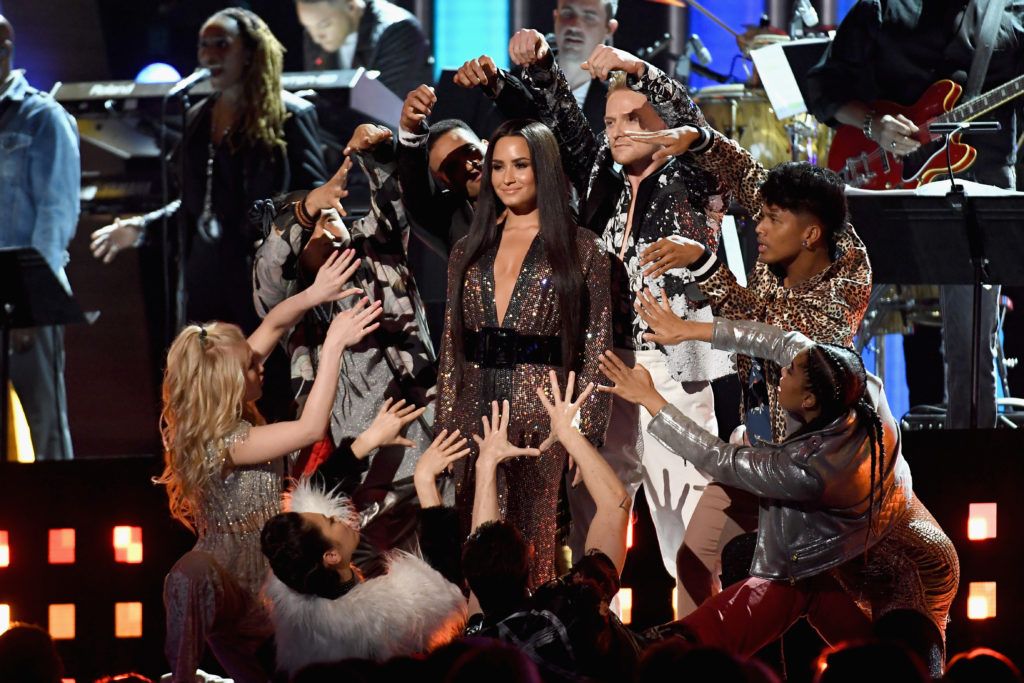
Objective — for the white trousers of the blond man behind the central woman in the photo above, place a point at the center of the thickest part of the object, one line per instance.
(672, 485)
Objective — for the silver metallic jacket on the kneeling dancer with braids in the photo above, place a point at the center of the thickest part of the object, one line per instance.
(814, 488)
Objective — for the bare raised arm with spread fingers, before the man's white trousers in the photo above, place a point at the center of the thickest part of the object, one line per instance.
(608, 531)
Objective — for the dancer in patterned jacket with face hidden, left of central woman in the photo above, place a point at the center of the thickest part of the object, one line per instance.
(397, 362)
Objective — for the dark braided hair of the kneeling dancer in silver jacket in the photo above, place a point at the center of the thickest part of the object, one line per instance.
(839, 381)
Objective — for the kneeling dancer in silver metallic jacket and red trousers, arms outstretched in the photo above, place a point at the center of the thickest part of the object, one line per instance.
(842, 539)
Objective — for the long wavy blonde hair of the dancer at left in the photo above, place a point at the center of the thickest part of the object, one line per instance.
(204, 400)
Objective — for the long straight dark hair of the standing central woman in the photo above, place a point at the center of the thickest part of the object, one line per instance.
(559, 234)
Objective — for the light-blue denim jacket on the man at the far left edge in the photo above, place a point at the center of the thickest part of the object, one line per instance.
(40, 174)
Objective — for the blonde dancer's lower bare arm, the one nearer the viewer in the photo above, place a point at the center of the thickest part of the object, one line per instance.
(270, 442)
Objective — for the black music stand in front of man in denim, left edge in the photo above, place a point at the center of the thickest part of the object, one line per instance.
(31, 296)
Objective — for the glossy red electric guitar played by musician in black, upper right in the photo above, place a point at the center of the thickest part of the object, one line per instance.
(864, 164)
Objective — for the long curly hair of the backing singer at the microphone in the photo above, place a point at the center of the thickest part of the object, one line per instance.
(263, 120)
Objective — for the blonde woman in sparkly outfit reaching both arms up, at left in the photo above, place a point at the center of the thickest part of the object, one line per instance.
(224, 475)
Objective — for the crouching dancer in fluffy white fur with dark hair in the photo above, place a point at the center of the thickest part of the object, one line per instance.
(324, 611)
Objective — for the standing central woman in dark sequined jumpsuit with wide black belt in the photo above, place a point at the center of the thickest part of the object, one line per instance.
(528, 292)
